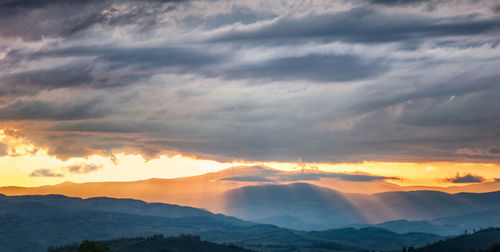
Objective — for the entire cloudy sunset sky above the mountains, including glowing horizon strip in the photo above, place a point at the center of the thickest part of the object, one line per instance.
(127, 90)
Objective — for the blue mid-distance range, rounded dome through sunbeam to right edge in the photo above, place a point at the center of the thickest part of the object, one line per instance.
(319, 208)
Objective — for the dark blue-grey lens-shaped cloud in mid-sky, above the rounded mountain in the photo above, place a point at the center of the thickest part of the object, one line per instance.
(321, 68)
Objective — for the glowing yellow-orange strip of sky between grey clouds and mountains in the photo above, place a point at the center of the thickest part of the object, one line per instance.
(22, 158)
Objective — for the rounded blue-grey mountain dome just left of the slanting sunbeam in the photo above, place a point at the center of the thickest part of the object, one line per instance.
(298, 205)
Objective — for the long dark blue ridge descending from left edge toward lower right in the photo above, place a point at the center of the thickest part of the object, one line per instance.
(34, 223)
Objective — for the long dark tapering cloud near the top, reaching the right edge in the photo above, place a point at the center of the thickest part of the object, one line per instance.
(362, 25)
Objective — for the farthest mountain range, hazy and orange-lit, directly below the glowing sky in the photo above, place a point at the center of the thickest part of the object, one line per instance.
(204, 191)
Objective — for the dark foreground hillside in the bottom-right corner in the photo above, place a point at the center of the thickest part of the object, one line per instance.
(487, 240)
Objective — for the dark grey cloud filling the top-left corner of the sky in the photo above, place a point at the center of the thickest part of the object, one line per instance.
(34, 20)
